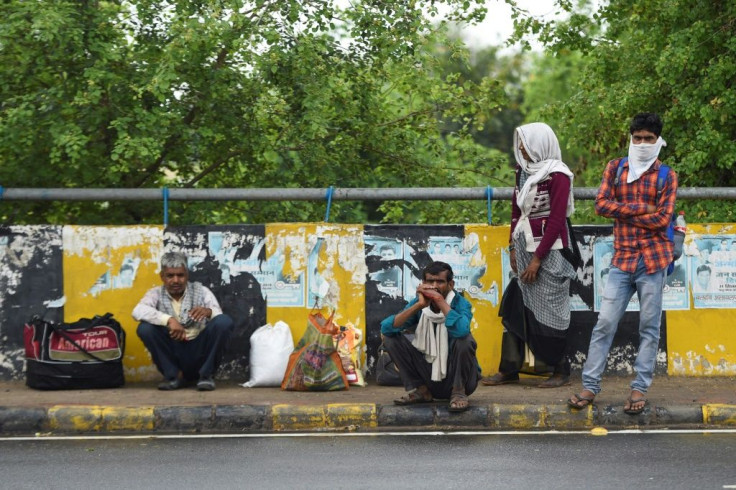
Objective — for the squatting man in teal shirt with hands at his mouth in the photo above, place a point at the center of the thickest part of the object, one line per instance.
(440, 361)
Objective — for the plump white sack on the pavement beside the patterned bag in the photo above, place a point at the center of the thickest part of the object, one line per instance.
(270, 347)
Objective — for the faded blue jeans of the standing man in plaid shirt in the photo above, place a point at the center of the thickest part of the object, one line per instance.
(618, 291)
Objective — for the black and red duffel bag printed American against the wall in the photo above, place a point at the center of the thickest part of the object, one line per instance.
(86, 354)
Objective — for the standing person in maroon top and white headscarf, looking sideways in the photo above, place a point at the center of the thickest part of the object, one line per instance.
(535, 307)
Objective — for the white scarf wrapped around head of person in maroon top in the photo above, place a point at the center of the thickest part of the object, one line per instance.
(543, 148)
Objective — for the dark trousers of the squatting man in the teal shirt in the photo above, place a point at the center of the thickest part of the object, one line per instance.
(462, 366)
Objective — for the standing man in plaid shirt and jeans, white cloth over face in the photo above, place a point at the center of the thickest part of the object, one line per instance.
(642, 254)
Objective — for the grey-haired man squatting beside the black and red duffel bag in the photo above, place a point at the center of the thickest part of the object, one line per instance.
(183, 327)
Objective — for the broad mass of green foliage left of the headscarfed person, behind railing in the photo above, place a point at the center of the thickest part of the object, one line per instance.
(229, 93)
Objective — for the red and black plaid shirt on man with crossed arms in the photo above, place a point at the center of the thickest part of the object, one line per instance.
(636, 233)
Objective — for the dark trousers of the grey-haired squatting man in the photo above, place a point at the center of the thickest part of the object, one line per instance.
(197, 358)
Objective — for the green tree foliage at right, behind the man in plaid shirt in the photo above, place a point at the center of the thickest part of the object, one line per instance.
(676, 58)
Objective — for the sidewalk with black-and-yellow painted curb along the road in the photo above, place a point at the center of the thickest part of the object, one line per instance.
(674, 402)
